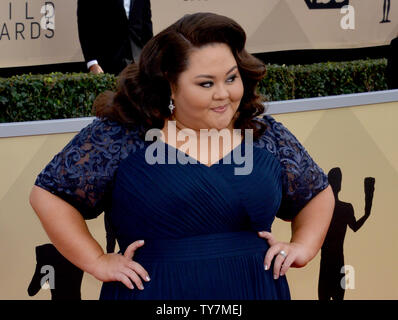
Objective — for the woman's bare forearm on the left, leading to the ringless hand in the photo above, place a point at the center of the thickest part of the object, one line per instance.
(66, 229)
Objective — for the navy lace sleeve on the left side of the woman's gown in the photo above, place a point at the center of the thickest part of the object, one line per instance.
(82, 173)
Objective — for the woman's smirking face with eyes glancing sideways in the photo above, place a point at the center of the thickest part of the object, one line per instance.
(208, 93)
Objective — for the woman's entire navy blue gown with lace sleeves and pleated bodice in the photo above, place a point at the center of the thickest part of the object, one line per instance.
(199, 223)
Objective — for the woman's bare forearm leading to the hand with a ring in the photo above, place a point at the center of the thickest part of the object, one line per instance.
(310, 226)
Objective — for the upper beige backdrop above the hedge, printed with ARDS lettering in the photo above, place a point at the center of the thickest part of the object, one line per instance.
(36, 32)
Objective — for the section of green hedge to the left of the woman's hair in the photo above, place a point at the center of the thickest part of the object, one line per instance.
(51, 96)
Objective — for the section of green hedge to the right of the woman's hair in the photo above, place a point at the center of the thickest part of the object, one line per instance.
(324, 79)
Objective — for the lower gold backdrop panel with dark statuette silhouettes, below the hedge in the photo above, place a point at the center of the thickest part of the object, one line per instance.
(356, 146)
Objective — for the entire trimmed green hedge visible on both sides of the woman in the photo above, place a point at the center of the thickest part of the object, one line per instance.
(58, 96)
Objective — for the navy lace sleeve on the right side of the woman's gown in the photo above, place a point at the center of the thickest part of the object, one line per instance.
(302, 178)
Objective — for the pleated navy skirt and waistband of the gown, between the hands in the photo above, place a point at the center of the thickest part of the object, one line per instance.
(224, 266)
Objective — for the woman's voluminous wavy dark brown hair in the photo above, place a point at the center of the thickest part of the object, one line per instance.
(144, 90)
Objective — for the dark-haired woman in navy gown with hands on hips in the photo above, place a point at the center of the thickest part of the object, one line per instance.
(193, 230)
